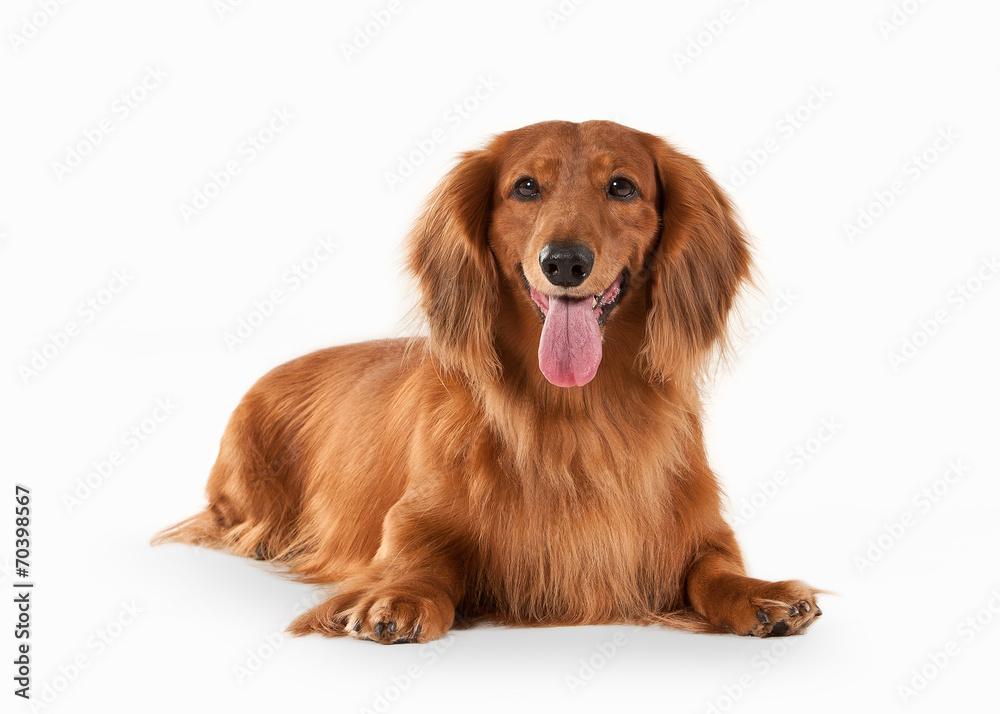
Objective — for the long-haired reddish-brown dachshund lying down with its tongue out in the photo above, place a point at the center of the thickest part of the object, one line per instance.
(538, 458)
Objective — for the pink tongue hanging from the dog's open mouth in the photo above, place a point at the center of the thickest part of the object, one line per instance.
(570, 349)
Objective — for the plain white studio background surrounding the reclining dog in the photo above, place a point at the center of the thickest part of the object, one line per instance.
(886, 80)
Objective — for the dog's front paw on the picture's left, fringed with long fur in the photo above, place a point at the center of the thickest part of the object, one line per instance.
(390, 618)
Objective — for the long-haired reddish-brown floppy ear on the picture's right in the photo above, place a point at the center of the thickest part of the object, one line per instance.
(698, 267)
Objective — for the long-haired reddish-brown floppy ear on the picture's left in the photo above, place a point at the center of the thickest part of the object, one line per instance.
(455, 270)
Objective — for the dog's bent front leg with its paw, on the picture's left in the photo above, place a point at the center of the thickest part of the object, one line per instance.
(408, 592)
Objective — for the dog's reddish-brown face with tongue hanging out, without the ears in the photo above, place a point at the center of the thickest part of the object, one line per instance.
(574, 218)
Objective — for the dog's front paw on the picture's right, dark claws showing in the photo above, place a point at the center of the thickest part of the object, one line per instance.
(760, 608)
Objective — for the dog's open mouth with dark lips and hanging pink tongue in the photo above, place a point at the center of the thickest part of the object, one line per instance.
(570, 349)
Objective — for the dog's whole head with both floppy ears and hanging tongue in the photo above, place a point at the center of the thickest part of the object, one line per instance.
(578, 237)
